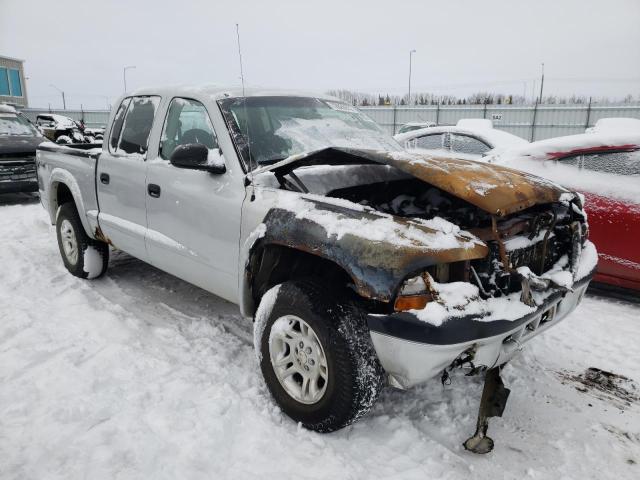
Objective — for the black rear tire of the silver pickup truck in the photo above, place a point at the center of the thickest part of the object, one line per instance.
(92, 256)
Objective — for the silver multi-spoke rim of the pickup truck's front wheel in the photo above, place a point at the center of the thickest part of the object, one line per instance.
(298, 359)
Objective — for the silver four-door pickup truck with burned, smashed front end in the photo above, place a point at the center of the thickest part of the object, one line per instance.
(360, 263)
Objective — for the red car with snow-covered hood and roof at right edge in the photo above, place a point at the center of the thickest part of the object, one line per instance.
(604, 165)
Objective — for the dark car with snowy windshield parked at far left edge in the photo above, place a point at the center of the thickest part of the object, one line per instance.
(19, 139)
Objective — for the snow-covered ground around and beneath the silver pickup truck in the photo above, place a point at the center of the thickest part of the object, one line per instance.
(140, 375)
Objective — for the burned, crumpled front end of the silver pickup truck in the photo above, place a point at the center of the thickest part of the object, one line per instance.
(457, 263)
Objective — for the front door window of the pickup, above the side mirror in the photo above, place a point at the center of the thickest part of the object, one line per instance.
(187, 122)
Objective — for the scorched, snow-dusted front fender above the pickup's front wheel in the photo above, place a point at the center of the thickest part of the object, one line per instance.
(377, 250)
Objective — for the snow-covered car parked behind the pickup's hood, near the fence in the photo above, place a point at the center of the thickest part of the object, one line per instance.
(470, 138)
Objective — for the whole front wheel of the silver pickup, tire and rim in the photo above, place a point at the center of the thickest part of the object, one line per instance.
(316, 355)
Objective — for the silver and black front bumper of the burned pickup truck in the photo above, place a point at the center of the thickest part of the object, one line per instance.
(412, 351)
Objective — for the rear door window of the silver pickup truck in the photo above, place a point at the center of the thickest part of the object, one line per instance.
(138, 120)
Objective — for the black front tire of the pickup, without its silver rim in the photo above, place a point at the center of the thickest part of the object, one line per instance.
(355, 376)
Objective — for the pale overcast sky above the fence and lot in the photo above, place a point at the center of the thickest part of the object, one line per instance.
(81, 46)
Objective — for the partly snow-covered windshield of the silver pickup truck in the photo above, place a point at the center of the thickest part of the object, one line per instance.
(282, 126)
